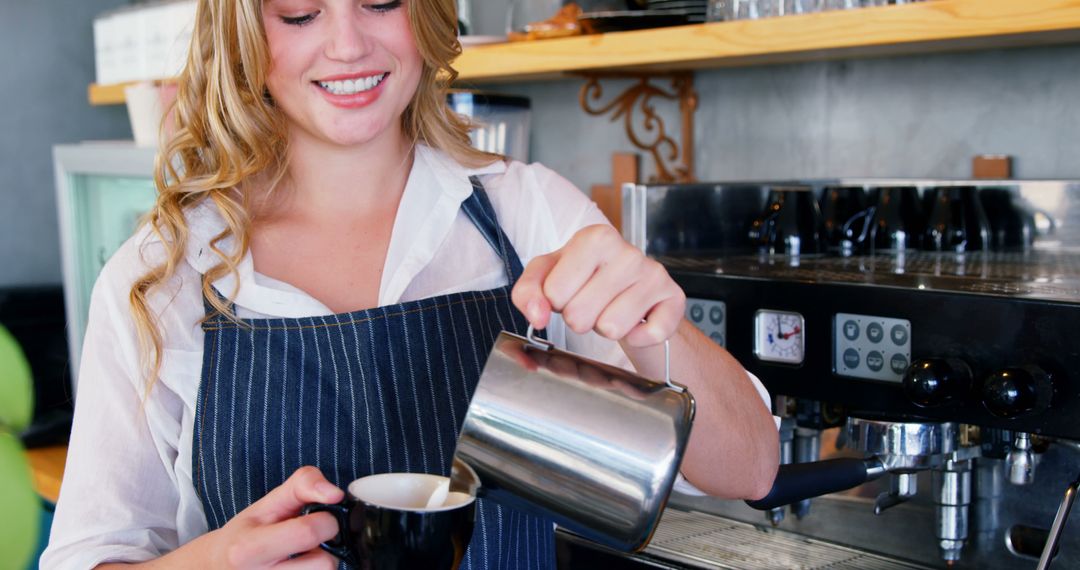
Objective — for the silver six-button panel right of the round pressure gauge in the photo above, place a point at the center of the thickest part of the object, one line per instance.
(872, 348)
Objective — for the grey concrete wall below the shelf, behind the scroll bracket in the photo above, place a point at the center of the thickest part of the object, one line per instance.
(924, 116)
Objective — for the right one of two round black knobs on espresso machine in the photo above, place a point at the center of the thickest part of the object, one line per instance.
(1017, 392)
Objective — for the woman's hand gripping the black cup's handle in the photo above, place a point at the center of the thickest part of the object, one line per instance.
(269, 532)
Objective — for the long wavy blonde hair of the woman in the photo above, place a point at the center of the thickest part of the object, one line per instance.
(231, 141)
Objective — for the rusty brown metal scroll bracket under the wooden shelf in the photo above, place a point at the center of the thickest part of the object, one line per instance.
(674, 160)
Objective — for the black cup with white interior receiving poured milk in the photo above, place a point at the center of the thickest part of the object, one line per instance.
(385, 524)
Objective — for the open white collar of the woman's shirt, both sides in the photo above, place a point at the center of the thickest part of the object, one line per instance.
(437, 187)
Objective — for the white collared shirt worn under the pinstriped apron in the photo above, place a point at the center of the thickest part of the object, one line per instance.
(128, 493)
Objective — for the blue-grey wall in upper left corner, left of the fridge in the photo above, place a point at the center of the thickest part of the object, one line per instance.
(47, 55)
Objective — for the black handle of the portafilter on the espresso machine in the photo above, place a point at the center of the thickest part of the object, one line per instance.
(798, 482)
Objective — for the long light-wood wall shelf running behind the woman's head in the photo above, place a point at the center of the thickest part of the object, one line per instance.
(925, 28)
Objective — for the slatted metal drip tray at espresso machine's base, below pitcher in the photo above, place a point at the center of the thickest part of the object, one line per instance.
(698, 540)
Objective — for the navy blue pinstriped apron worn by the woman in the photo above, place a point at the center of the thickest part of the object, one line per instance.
(375, 391)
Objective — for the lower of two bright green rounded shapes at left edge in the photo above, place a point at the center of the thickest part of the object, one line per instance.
(22, 508)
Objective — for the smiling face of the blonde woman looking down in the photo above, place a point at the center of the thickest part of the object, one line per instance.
(343, 72)
